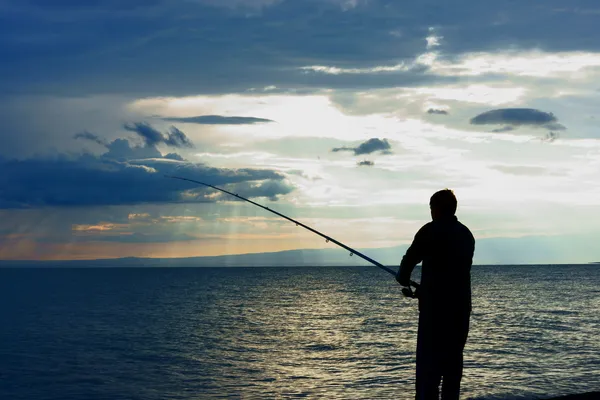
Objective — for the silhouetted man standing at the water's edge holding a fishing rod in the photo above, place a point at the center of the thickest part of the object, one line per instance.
(446, 247)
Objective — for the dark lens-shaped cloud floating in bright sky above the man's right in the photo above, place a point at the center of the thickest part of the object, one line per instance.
(514, 117)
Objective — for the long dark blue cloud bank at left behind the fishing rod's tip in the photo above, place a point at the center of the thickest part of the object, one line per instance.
(123, 175)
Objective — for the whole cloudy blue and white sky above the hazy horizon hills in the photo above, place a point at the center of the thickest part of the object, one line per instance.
(345, 114)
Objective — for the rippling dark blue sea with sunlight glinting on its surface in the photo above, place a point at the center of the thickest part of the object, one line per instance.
(274, 333)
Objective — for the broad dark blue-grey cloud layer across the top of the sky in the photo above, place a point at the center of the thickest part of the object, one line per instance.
(99, 48)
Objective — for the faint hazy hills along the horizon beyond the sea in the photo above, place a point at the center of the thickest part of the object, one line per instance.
(524, 250)
